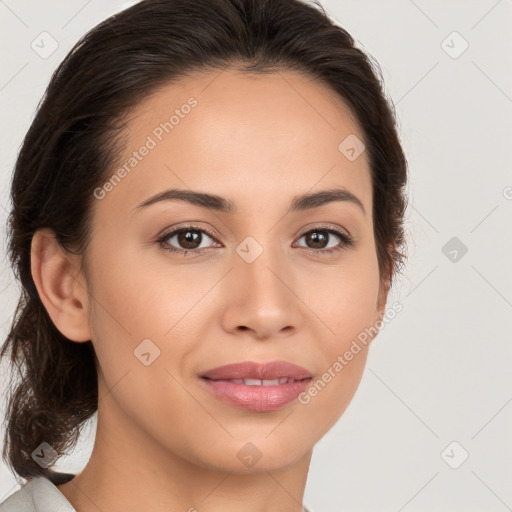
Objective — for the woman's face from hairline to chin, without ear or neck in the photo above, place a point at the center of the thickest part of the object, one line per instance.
(254, 286)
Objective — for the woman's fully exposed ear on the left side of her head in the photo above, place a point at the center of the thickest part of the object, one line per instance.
(61, 289)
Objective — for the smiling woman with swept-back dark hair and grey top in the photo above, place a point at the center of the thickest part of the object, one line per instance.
(207, 215)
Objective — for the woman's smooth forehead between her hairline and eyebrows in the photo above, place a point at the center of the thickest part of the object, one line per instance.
(249, 137)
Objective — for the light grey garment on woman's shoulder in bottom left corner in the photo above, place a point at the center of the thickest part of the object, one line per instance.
(38, 495)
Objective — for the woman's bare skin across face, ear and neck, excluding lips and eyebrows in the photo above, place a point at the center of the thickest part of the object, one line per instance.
(164, 442)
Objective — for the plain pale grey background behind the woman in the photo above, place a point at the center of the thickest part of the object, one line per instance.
(437, 386)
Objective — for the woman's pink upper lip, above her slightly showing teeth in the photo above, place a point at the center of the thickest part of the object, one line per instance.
(254, 370)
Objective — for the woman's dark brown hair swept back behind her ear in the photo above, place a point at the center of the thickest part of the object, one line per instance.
(76, 137)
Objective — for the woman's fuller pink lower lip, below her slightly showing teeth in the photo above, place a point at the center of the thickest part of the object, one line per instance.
(257, 398)
